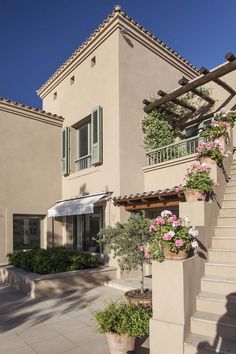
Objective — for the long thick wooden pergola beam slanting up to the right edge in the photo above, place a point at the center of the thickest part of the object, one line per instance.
(199, 81)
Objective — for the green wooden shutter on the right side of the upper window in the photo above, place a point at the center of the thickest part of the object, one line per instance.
(96, 136)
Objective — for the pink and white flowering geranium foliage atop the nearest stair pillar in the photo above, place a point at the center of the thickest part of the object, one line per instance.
(167, 231)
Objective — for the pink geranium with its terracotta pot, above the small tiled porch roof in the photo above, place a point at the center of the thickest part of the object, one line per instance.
(198, 185)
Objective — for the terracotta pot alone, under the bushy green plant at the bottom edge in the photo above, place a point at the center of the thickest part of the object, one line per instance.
(120, 343)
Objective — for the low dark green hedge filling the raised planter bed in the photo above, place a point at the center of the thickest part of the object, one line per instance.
(53, 260)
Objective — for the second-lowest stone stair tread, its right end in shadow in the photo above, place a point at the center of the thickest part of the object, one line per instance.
(224, 320)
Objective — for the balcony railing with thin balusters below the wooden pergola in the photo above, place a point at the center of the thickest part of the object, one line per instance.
(174, 151)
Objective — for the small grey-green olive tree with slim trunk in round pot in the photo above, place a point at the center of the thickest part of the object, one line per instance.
(124, 241)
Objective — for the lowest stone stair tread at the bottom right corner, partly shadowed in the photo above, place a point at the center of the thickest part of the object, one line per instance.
(207, 343)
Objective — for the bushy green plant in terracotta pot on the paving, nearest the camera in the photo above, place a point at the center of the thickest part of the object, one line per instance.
(122, 322)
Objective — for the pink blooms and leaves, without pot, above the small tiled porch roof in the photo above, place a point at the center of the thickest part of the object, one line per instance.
(198, 177)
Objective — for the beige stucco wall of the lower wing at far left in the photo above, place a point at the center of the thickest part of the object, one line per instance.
(30, 171)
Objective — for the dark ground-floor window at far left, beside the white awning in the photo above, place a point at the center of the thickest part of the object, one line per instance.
(26, 231)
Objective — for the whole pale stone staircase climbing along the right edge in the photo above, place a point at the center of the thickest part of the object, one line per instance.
(213, 326)
